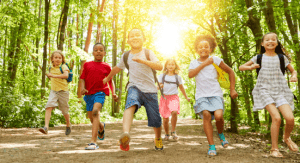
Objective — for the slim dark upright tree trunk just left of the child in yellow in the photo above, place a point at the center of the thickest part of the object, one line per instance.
(47, 6)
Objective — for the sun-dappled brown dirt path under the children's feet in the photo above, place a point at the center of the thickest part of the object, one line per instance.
(28, 145)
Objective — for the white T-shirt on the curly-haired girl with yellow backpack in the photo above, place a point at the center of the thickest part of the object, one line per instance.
(207, 84)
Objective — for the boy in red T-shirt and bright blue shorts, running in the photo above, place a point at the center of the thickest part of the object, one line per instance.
(95, 91)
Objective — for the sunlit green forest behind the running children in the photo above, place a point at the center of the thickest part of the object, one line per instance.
(31, 30)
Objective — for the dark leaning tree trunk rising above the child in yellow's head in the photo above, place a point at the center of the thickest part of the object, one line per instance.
(63, 25)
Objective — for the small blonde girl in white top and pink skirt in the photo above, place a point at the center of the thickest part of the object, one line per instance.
(170, 81)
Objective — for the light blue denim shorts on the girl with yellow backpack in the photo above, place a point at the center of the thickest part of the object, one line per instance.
(210, 104)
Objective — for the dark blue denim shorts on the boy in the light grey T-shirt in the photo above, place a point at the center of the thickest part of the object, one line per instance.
(149, 101)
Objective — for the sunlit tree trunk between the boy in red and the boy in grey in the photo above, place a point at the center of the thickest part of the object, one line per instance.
(115, 41)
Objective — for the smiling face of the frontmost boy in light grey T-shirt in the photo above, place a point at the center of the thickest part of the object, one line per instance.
(136, 39)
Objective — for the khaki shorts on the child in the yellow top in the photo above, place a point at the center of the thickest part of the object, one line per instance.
(60, 99)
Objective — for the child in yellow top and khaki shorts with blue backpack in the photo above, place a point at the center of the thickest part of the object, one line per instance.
(59, 94)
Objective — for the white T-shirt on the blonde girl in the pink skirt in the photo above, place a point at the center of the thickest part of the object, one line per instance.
(170, 88)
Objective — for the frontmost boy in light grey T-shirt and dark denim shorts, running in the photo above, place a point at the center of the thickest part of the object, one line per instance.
(141, 87)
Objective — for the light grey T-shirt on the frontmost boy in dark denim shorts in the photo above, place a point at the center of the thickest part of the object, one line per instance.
(140, 75)
